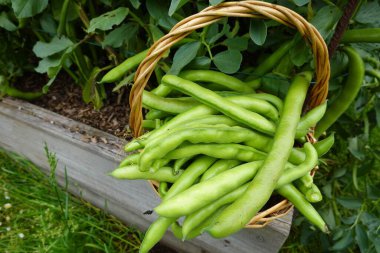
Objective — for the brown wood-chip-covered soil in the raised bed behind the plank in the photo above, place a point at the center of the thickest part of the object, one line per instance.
(65, 98)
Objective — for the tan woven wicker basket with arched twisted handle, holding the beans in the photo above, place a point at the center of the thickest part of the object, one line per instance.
(244, 9)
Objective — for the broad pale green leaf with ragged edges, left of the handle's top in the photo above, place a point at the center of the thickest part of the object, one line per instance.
(107, 20)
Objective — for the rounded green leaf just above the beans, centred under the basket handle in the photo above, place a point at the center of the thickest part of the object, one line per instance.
(228, 61)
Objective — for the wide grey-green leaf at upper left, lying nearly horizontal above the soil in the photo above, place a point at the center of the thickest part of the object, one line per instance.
(56, 45)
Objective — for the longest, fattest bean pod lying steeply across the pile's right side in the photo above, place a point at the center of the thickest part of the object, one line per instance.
(238, 214)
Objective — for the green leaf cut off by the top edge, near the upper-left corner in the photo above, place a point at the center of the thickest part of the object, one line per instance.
(28, 8)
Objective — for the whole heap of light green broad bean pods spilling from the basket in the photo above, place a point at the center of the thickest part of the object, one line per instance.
(219, 149)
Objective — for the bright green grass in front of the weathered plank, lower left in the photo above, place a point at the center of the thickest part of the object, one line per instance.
(37, 215)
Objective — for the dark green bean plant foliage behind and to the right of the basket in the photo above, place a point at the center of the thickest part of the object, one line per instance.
(86, 39)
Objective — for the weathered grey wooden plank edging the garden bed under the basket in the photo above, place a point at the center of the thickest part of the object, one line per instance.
(26, 128)
